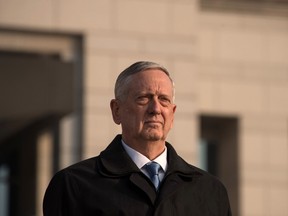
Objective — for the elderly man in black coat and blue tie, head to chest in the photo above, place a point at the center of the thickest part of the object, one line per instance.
(139, 173)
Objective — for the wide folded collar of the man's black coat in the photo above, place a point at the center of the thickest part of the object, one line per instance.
(114, 163)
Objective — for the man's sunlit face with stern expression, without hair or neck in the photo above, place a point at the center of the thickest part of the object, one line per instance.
(147, 113)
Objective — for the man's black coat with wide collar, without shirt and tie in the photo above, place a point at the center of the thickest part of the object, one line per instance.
(111, 184)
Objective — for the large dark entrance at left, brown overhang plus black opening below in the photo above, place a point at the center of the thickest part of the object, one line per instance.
(36, 91)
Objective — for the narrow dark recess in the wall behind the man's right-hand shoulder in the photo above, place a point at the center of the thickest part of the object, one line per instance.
(219, 152)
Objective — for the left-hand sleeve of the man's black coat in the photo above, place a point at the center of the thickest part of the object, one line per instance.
(61, 198)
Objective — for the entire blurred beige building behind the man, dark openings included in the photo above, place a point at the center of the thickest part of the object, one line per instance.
(229, 60)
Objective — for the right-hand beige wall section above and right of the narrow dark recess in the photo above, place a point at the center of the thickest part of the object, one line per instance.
(243, 71)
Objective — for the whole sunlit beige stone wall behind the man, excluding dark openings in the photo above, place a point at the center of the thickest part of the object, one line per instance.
(222, 63)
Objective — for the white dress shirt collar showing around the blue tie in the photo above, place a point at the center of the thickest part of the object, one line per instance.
(140, 160)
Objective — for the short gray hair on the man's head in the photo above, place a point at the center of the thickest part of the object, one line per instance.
(123, 79)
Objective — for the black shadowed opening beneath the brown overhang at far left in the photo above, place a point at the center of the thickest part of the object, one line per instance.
(18, 156)
